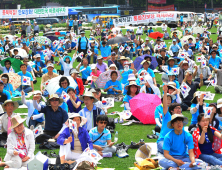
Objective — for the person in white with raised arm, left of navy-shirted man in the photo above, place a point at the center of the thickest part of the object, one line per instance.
(34, 117)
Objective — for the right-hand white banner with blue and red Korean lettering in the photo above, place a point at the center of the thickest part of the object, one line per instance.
(137, 19)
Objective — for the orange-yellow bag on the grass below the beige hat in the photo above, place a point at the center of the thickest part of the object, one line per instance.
(146, 164)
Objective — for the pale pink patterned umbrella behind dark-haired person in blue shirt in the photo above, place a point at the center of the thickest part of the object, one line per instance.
(104, 77)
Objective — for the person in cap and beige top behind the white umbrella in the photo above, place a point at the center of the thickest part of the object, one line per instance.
(47, 77)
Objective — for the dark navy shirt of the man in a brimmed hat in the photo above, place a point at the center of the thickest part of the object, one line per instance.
(54, 120)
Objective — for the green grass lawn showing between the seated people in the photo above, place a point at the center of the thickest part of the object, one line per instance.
(127, 134)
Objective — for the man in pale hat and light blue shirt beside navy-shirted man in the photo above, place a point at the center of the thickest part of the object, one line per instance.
(90, 111)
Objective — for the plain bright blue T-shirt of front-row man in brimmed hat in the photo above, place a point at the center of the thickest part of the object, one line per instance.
(177, 145)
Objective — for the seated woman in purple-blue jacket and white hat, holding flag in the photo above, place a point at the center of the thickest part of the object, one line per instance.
(72, 145)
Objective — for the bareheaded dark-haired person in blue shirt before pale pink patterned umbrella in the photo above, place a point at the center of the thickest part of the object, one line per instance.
(113, 86)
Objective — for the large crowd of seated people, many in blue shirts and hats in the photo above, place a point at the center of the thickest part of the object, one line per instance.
(179, 147)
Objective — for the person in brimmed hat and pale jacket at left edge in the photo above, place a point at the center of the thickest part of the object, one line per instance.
(9, 107)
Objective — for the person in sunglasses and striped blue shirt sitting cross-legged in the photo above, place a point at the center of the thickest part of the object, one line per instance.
(101, 137)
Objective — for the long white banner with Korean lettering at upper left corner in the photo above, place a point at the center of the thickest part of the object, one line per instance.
(34, 13)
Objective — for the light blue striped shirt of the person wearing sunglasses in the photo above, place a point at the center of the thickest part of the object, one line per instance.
(94, 134)
